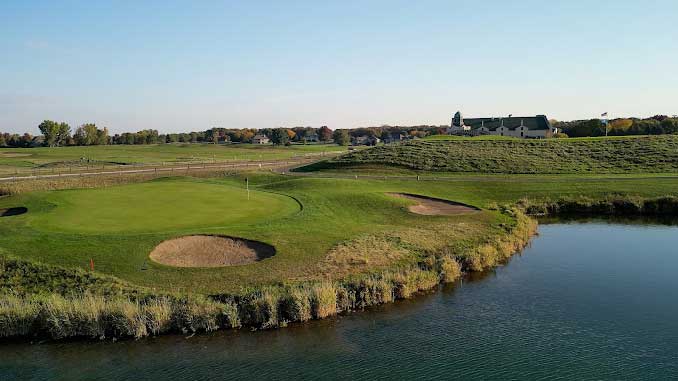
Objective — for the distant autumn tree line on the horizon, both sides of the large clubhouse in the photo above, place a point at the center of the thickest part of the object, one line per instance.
(54, 134)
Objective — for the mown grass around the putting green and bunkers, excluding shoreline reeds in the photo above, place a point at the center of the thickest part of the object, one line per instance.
(337, 214)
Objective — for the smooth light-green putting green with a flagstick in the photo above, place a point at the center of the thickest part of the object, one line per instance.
(159, 206)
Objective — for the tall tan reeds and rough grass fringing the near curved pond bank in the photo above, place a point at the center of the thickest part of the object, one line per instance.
(121, 311)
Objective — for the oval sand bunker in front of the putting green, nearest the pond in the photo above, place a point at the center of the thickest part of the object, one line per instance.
(210, 251)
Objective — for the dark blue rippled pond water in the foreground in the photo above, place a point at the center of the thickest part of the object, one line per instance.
(585, 301)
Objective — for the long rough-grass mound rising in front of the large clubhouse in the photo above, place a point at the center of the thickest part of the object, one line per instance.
(645, 154)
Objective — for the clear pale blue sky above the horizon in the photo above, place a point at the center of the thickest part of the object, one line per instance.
(189, 66)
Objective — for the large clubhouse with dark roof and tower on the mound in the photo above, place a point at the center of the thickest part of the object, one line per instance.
(535, 127)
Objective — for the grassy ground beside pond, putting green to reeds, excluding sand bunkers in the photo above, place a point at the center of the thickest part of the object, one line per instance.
(350, 246)
